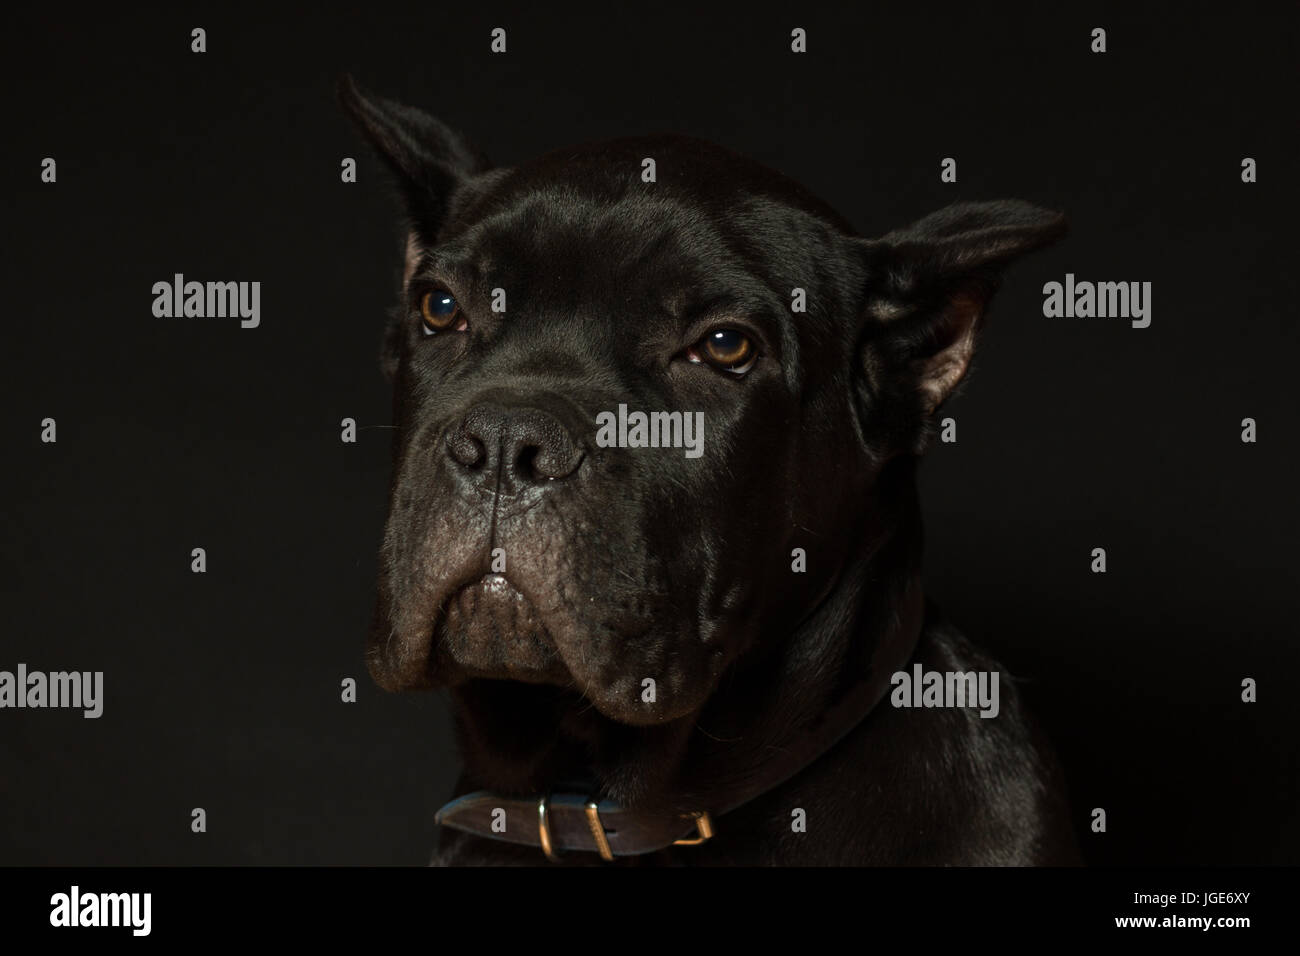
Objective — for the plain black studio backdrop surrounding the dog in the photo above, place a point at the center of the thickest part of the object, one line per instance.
(223, 690)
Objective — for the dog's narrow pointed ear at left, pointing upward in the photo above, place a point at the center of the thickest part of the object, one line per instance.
(427, 158)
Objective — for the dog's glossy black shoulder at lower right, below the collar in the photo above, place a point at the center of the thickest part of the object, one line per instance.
(981, 790)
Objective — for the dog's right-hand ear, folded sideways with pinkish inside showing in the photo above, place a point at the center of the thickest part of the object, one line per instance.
(929, 292)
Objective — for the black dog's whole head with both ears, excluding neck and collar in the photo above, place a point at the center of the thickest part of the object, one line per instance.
(539, 300)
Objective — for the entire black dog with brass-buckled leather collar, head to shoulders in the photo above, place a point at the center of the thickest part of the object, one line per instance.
(655, 647)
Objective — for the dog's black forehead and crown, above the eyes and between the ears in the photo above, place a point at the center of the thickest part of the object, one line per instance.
(664, 222)
